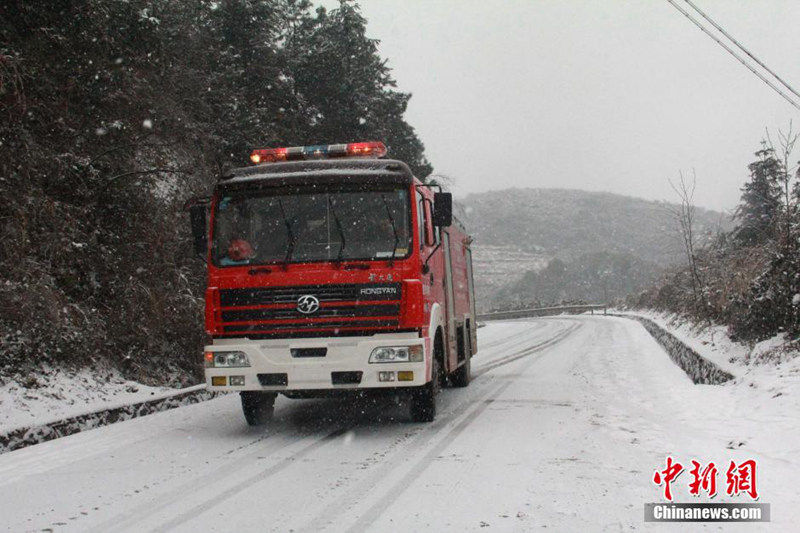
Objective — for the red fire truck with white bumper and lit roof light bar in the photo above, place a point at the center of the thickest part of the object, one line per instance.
(332, 270)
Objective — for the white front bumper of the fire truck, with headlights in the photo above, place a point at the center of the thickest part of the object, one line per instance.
(346, 356)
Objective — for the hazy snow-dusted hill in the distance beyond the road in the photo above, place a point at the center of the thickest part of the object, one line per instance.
(518, 232)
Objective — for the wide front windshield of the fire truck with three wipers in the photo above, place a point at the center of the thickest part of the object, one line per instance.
(312, 224)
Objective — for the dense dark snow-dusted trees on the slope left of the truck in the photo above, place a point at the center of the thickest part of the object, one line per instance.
(112, 114)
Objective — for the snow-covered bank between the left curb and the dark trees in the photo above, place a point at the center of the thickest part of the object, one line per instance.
(56, 395)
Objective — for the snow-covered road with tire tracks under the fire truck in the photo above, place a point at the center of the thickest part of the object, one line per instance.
(562, 428)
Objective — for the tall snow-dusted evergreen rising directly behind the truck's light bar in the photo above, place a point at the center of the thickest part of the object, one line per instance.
(348, 88)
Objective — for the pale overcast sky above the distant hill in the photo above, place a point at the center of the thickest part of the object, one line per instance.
(604, 95)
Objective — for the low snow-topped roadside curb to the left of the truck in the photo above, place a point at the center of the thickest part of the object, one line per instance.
(17, 438)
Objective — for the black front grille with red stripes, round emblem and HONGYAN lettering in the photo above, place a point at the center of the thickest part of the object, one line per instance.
(343, 308)
